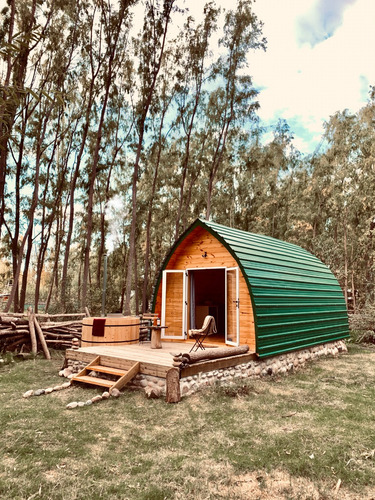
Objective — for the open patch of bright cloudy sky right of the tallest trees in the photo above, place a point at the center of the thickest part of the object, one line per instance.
(320, 59)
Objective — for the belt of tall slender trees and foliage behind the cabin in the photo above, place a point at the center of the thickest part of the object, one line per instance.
(114, 137)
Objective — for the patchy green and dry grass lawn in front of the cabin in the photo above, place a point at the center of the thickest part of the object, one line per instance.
(309, 435)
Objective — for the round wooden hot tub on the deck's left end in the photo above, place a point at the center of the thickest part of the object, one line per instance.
(112, 330)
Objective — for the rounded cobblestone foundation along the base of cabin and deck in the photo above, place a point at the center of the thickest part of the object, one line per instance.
(275, 365)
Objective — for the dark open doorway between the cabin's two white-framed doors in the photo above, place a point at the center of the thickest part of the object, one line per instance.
(207, 297)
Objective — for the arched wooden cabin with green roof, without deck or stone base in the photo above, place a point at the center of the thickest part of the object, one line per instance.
(273, 296)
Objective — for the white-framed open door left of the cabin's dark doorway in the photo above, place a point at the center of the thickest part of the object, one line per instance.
(174, 304)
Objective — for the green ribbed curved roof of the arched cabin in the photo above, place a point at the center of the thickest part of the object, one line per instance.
(297, 301)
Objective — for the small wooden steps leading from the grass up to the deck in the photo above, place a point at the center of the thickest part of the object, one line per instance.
(123, 376)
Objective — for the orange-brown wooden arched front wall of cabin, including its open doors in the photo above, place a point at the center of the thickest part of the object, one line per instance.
(200, 278)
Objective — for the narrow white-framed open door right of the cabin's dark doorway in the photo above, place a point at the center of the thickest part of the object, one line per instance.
(232, 331)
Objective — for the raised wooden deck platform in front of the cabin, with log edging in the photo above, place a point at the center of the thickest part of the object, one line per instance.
(156, 362)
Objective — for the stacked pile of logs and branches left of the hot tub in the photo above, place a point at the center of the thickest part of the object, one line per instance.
(30, 331)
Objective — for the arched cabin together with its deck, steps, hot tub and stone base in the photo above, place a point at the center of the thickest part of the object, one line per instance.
(268, 297)
